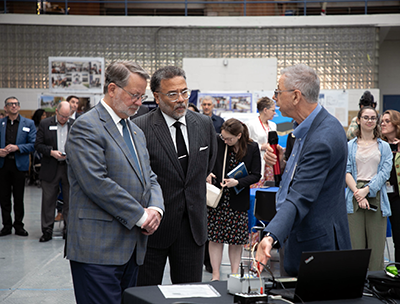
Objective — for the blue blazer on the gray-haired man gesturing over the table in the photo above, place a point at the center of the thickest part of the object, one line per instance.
(313, 216)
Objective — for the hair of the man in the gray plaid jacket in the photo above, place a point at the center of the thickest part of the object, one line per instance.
(119, 72)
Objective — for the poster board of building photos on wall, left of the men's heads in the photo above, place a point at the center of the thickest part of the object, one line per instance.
(76, 74)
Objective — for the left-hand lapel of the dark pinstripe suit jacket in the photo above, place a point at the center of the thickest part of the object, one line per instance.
(163, 135)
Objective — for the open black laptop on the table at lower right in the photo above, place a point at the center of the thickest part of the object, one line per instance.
(329, 275)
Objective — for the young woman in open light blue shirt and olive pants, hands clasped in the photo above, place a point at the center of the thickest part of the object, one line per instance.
(368, 168)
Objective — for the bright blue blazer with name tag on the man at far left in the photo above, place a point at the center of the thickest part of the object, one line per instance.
(25, 141)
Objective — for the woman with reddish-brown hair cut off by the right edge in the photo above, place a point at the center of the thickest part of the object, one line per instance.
(390, 125)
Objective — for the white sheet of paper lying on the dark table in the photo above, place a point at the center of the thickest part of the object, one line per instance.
(189, 291)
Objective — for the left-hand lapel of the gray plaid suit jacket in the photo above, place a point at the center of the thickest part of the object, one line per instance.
(112, 129)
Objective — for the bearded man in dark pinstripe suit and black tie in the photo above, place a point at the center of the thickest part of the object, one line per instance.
(182, 147)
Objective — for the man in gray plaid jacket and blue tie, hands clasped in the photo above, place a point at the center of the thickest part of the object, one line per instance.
(115, 199)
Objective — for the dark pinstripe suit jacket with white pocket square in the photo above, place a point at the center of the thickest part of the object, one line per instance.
(180, 192)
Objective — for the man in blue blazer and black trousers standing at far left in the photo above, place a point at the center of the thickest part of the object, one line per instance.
(17, 139)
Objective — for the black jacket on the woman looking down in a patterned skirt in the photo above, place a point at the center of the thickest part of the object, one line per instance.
(252, 160)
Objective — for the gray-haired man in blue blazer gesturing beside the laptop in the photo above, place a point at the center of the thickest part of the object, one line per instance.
(311, 208)
